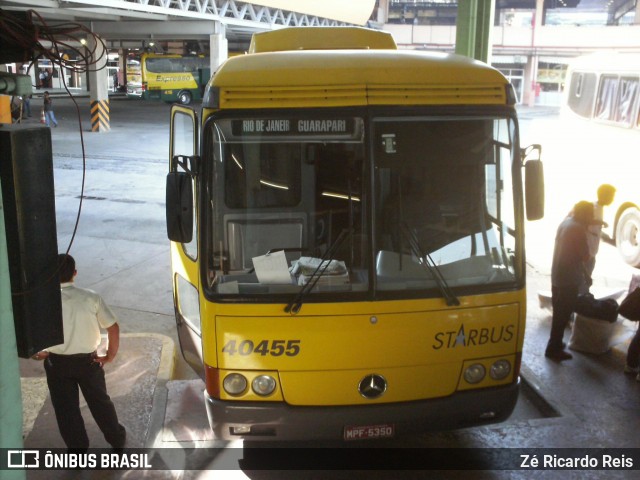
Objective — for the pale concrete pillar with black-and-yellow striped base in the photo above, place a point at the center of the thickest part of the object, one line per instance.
(99, 87)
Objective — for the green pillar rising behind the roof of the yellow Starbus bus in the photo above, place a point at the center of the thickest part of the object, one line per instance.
(474, 24)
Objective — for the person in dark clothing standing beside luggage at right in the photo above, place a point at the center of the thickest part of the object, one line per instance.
(568, 274)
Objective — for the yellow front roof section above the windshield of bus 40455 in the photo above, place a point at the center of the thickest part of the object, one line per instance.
(307, 78)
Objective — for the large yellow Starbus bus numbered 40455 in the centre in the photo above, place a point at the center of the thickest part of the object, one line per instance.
(347, 239)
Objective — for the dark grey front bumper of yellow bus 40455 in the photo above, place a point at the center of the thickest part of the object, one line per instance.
(279, 421)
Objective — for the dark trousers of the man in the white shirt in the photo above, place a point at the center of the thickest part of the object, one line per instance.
(66, 375)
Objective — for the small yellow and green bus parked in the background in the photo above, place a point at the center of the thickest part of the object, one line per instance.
(167, 77)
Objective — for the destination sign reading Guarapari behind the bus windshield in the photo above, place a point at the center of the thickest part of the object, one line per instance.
(291, 126)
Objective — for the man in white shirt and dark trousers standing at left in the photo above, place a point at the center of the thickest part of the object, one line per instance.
(74, 364)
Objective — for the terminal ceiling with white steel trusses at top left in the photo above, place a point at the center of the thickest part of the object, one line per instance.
(125, 24)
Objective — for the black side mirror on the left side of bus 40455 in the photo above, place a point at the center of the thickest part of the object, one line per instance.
(179, 205)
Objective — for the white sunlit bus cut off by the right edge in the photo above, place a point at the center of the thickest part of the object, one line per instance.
(603, 96)
